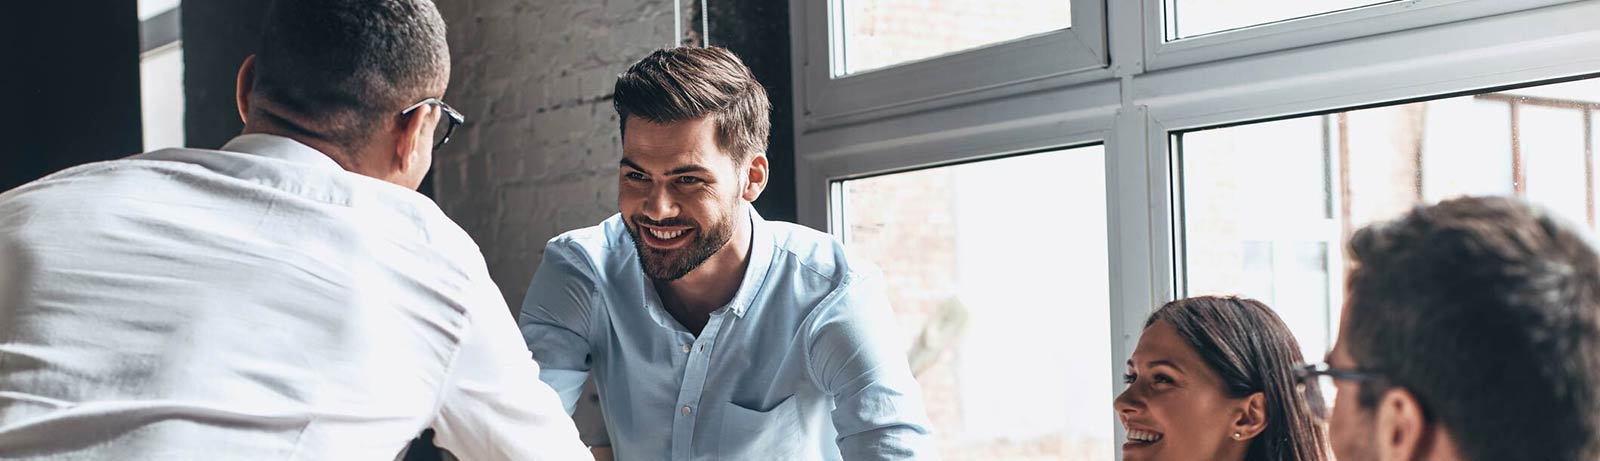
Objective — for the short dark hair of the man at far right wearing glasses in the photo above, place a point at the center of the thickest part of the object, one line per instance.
(1486, 311)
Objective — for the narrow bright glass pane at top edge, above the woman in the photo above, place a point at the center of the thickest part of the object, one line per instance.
(1190, 18)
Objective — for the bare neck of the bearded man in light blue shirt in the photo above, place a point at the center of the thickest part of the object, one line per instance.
(718, 281)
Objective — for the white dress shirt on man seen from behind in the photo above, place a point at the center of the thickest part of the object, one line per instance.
(254, 303)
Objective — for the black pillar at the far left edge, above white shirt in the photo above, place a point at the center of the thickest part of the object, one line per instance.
(76, 81)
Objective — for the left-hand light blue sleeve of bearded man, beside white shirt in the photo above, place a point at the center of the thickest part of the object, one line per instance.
(556, 319)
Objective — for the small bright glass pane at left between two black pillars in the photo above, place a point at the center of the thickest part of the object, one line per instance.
(162, 97)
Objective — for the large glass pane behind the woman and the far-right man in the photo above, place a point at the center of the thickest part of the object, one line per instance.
(1266, 207)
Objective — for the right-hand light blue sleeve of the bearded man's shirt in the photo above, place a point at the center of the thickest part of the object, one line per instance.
(858, 358)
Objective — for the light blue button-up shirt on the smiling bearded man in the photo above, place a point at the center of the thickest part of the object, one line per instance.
(804, 364)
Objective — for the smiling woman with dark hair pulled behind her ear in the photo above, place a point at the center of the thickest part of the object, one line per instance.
(1214, 379)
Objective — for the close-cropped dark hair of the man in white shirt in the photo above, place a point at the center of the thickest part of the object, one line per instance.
(350, 65)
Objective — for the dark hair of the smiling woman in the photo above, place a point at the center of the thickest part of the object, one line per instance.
(1254, 351)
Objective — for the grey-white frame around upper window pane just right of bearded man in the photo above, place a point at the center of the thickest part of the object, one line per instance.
(1042, 62)
